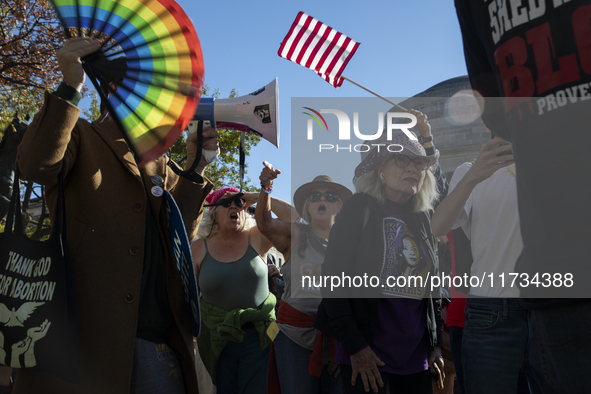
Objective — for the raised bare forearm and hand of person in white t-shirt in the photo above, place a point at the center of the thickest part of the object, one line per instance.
(486, 164)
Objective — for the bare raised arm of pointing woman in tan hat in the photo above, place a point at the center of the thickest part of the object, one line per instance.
(279, 232)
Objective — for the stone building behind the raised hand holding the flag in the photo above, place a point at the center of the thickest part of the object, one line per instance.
(453, 113)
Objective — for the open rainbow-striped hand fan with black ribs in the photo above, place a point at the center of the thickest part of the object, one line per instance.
(151, 50)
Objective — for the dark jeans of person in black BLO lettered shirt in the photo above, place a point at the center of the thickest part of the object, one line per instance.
(560, 352)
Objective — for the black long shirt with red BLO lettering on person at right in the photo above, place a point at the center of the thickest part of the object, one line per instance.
(535, 56)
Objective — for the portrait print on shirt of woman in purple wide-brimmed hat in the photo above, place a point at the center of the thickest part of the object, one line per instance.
(406, 265)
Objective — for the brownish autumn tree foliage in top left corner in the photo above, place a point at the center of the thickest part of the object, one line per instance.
(29, 36)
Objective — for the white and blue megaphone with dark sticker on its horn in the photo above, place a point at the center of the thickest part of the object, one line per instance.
(257, 112)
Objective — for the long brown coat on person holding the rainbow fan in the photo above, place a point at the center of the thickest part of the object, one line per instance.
(105, 202)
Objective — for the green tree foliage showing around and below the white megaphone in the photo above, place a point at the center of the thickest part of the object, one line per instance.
(225, 171)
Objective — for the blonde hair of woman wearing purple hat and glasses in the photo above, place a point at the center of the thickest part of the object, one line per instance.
(423, 201)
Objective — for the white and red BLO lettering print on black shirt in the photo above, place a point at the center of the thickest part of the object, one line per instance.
(543, 50)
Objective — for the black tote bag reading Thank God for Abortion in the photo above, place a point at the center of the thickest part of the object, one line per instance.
(38, 317)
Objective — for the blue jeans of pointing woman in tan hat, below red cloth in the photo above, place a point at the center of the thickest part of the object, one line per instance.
(292, 366)
